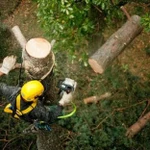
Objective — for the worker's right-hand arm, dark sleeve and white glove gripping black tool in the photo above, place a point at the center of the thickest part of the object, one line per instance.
(51, 114)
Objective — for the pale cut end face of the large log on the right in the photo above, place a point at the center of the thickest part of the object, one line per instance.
(95, 66)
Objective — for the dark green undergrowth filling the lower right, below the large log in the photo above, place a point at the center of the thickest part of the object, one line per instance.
(103, 126)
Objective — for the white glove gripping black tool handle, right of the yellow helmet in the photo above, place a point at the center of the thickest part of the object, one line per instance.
(67, 88)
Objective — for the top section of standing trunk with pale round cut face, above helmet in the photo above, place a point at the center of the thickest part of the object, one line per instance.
(39, 59)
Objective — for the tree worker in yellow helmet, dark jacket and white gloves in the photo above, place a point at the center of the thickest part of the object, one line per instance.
(24, 102)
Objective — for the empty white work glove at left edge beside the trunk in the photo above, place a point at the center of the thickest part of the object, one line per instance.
(8, 64)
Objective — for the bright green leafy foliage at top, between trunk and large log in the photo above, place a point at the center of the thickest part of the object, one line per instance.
(72, 23)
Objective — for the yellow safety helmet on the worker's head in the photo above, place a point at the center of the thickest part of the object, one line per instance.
(31, 90)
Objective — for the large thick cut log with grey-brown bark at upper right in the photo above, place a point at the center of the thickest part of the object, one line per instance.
(117, 42)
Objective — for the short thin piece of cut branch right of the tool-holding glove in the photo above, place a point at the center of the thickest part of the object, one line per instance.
(95, 99)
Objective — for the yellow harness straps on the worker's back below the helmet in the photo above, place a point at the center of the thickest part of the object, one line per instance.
(17, 112)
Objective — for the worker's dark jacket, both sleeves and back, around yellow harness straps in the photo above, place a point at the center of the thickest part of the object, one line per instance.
(40, 112)
